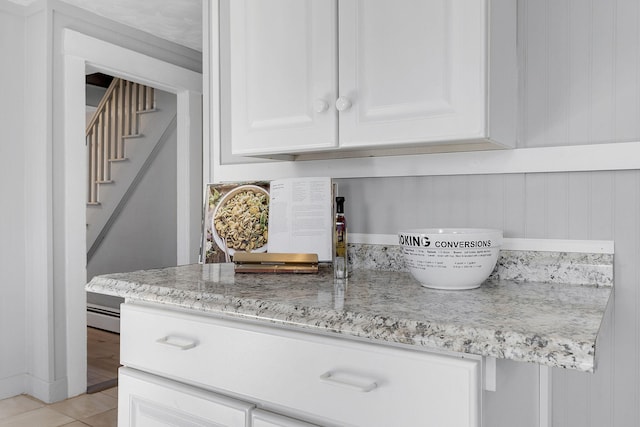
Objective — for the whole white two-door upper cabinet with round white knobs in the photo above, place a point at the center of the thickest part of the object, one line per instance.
(404, 76)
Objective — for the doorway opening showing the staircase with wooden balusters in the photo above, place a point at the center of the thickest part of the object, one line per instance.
(131, 201)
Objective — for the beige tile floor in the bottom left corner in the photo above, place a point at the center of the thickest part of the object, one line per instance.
(96, 410)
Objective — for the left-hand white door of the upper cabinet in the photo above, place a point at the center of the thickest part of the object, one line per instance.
(283, 75)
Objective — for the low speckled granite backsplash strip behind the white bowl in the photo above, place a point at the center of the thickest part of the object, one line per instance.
(527, 266)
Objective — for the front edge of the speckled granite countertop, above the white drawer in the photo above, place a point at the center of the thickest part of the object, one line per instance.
(501, 344)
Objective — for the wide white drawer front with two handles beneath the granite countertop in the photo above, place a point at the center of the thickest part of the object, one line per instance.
(322, 379)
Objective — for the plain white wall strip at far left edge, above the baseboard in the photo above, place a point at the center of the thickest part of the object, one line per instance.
(12, 224)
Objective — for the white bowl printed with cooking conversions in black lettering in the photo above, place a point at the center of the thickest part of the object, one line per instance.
(451, 258)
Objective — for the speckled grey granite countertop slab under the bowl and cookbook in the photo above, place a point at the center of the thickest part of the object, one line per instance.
(553, 324)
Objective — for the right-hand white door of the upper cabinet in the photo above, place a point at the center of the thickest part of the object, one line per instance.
(411, 71)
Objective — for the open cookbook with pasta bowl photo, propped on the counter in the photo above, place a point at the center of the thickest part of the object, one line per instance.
(293, 215)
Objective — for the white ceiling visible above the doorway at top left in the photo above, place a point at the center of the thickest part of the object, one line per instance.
(179, 21)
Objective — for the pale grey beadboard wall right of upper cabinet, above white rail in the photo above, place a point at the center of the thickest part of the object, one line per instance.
(579, 72)
